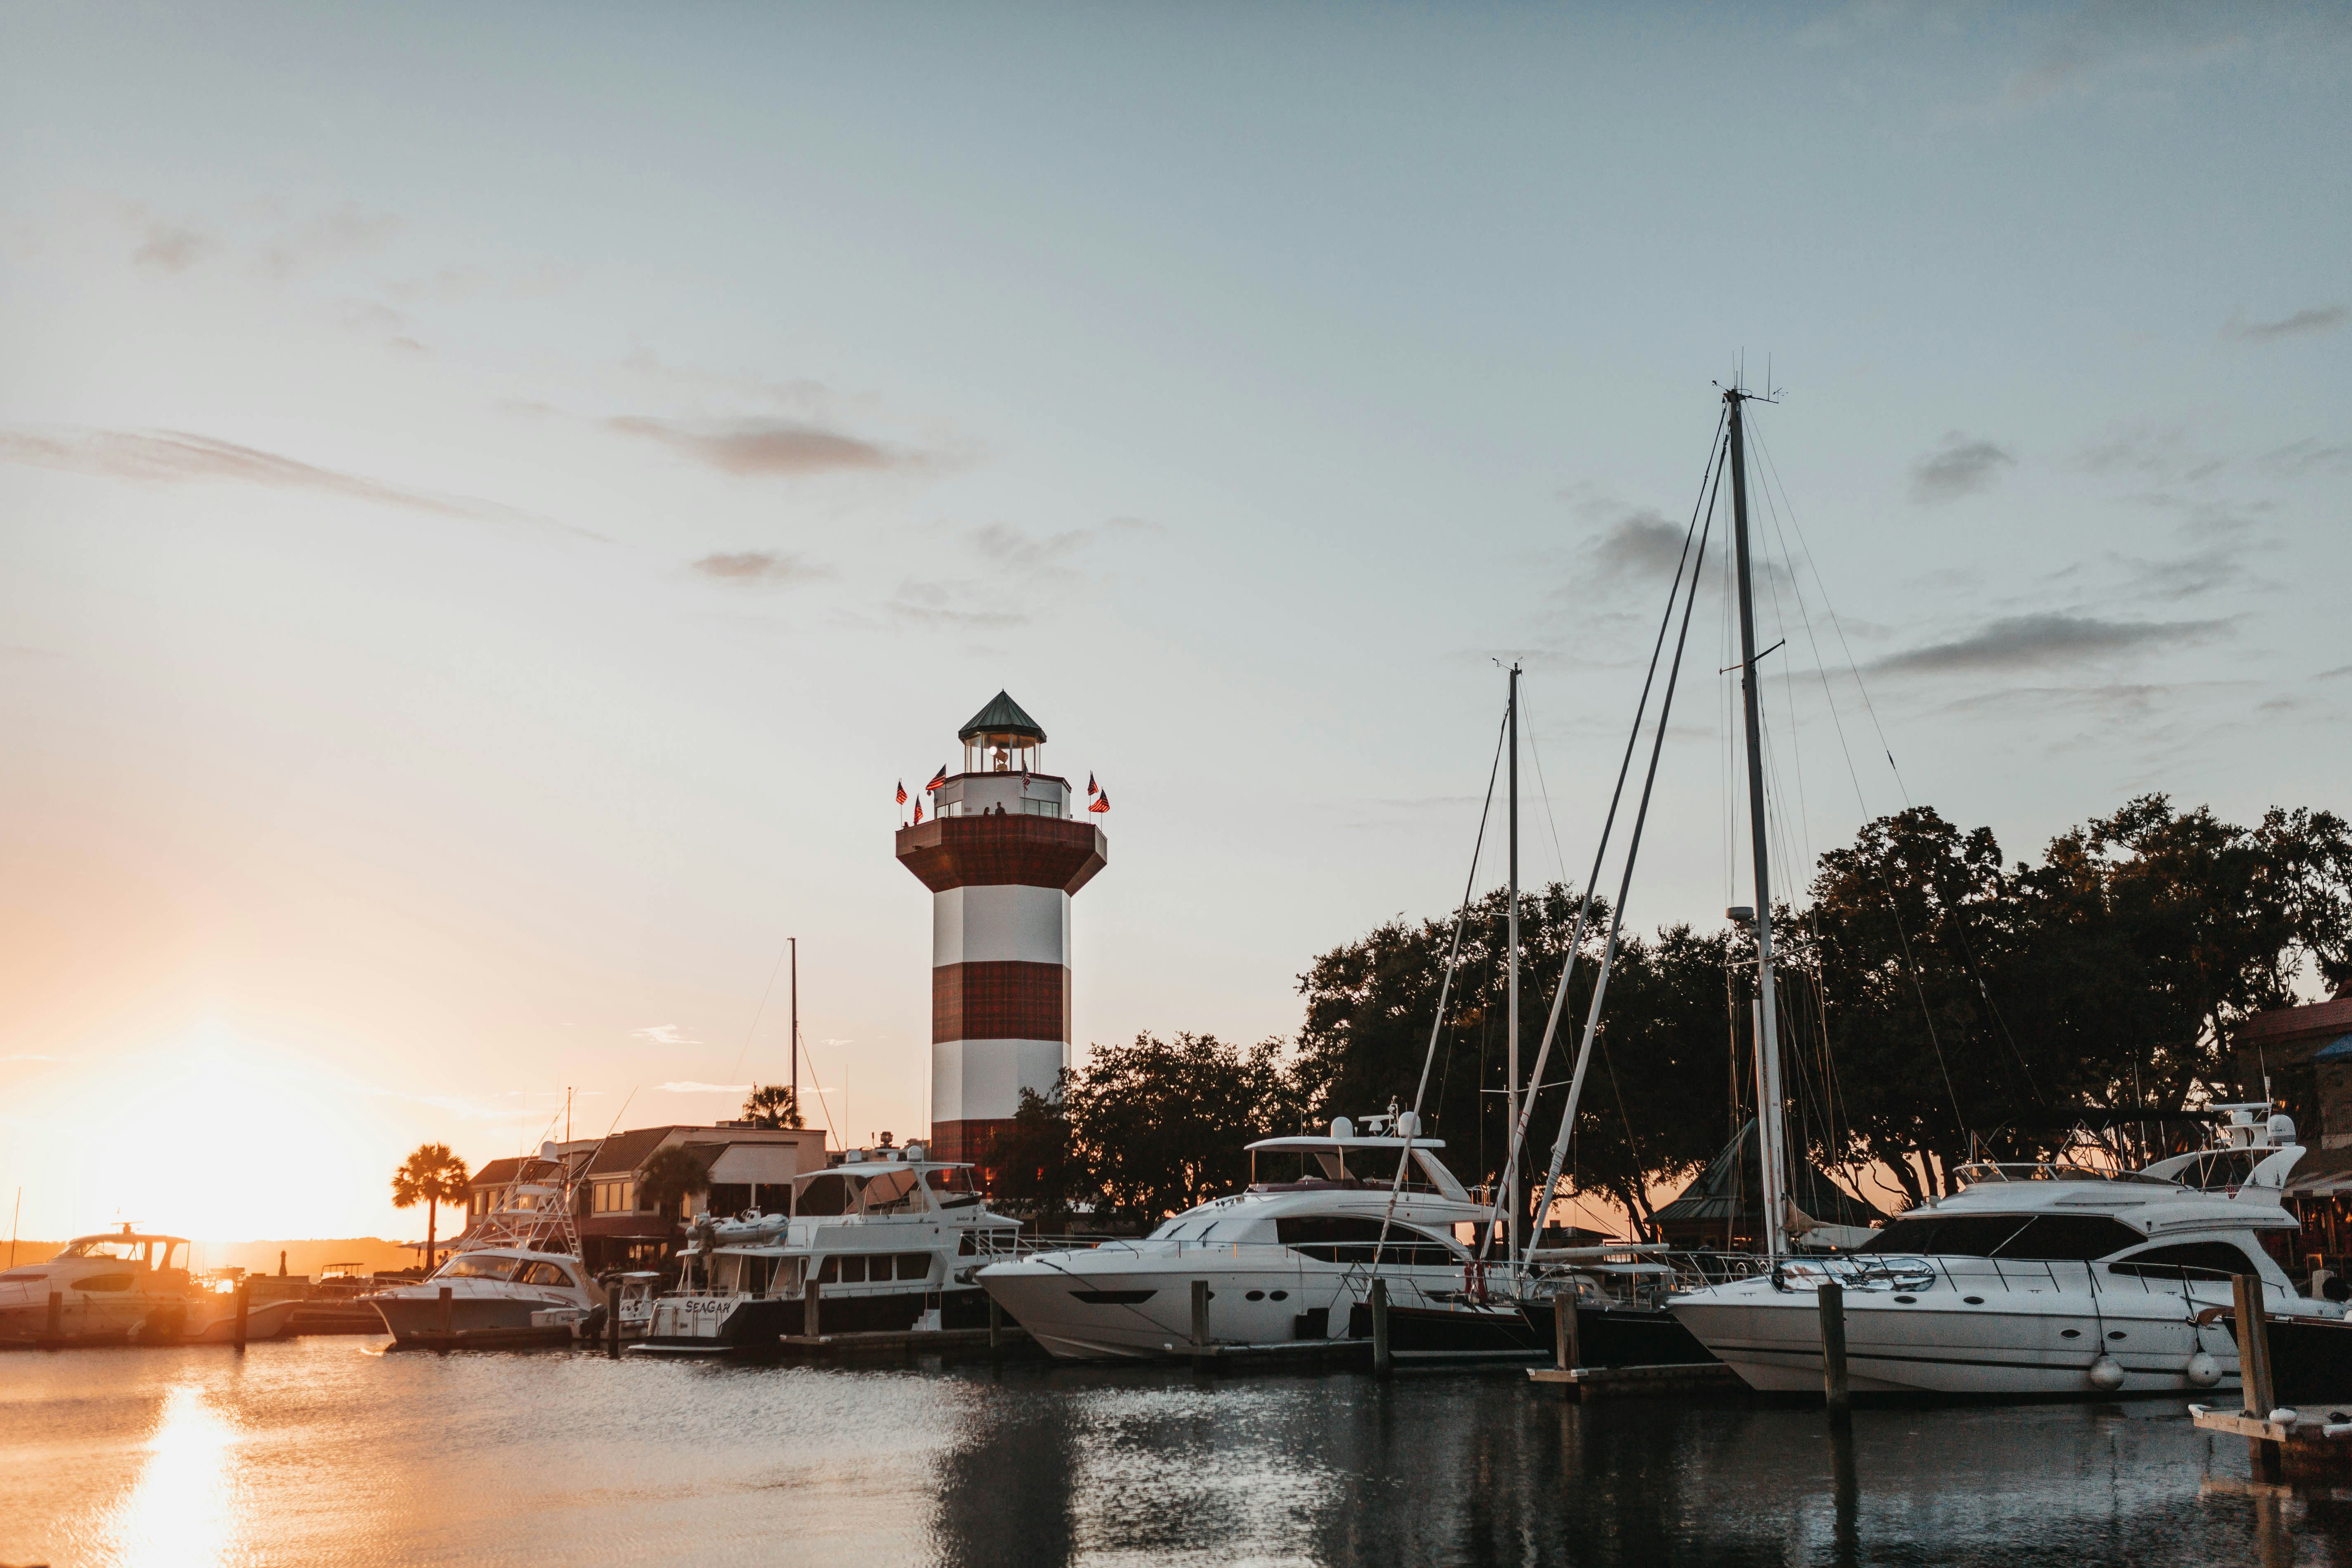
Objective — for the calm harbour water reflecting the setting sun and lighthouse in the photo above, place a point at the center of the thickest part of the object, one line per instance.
(328, 1452)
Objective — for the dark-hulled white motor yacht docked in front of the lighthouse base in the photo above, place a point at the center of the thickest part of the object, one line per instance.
(890, 1240)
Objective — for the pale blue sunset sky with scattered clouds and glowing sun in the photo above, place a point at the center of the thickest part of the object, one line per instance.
(493, 502)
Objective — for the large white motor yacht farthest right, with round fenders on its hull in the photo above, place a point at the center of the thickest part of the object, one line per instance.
(2036, 1280)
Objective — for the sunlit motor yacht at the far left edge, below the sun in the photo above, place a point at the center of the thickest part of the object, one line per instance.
(123, 1289)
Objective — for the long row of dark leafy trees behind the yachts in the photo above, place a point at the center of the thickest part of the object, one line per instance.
(1935, 1003)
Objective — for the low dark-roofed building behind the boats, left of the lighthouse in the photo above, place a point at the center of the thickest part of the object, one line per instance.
(620, 1228)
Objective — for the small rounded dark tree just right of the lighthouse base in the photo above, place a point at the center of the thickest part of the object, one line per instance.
(1161, 1125)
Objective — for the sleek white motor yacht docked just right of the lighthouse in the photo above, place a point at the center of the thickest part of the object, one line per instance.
(1288, 1259)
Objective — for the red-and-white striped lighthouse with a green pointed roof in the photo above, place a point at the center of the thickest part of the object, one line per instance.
(1003, 855)
